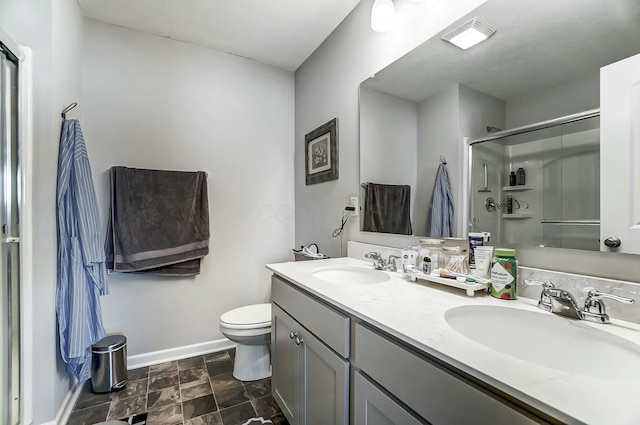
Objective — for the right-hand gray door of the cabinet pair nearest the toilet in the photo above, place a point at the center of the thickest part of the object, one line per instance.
(325, 383)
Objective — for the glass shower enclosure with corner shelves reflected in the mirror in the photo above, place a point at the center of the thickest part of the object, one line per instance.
(539, 185)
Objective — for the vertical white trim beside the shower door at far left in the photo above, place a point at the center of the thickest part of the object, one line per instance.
(25, 141)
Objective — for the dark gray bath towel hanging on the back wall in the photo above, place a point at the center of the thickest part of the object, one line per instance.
(158, 223)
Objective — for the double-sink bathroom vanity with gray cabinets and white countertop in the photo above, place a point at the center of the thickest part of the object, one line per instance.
(354, 345)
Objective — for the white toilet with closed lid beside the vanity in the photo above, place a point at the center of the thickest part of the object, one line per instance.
(250, 328)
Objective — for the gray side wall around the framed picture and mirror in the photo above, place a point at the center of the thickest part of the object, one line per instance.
(327, 87)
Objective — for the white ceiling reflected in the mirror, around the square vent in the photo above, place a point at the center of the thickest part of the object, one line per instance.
(538, 44)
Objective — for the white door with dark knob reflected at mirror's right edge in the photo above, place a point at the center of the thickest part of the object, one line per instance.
(619, 154)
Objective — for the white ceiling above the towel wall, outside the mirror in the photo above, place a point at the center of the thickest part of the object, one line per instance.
(283, 33)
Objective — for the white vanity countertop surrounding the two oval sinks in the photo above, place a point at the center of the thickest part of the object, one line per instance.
(415, 313)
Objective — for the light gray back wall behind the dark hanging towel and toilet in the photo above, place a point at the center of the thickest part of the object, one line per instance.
(150, 102)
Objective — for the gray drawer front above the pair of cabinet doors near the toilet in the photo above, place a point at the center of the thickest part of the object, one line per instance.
(329, 325)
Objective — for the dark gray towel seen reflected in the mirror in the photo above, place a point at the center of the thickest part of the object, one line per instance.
(387, 209)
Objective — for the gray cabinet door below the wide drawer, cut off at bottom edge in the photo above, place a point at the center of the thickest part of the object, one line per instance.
(374, 407)
